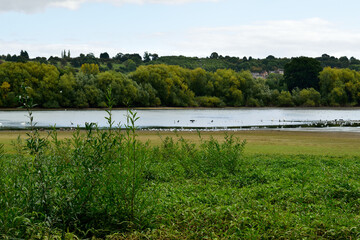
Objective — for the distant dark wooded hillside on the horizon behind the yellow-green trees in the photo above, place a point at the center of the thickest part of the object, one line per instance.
(128, 62)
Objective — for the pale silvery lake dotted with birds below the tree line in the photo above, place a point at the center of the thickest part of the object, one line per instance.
(192, 118)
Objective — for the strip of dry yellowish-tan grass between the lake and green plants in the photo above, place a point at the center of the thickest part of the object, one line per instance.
(258, 141)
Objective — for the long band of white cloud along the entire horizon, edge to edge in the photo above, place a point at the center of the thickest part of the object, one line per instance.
(309, 37)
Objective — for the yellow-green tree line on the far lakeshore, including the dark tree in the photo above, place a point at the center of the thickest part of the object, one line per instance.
(305, 83)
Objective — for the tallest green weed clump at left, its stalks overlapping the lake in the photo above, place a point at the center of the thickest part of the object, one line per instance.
(90, 185)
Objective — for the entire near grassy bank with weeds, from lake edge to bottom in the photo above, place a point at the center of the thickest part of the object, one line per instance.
(149, 185)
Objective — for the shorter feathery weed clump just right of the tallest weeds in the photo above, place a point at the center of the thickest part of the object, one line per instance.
(211, 158)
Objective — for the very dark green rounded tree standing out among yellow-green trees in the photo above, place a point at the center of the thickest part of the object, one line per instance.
(302, 72)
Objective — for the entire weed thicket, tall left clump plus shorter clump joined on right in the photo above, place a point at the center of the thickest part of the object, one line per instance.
(99, 181)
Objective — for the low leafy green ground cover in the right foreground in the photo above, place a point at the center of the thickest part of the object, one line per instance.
(271, 197)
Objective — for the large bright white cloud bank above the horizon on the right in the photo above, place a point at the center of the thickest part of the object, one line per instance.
(309, 37)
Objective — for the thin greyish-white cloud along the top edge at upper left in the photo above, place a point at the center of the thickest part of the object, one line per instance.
(38, 5)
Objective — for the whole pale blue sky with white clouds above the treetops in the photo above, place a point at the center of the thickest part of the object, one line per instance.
(256, 28)
